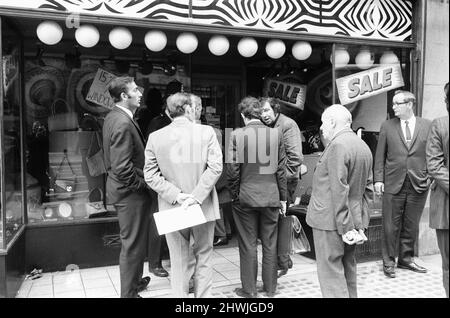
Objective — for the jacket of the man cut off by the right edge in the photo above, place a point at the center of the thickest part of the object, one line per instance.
(437, 165)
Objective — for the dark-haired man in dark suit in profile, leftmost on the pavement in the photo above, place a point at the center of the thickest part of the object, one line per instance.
(123, 145)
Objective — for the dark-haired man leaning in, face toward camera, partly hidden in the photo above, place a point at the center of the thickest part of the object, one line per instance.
(290, 133)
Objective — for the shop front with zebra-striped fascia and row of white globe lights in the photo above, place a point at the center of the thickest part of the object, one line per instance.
(58, 56)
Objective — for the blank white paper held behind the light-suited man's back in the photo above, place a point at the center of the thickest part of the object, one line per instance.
(178, 218)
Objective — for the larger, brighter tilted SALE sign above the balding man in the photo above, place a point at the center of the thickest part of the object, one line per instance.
(368, 83)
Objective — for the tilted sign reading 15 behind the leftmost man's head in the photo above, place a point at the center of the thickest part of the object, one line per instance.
(98, 92)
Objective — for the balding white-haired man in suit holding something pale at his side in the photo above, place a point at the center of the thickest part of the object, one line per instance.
(338, 211)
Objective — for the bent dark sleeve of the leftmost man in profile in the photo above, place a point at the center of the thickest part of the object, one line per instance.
(122, 165)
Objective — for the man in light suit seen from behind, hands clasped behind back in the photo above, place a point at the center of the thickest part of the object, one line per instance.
(183, 161)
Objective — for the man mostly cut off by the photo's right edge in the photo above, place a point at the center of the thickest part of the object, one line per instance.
(437, 164)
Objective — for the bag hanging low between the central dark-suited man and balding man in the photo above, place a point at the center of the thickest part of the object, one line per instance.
(291, 236)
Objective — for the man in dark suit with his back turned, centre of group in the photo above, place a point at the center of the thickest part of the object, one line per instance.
(257, 183)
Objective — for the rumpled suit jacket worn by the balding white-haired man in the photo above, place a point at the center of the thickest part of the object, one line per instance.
(342, 185)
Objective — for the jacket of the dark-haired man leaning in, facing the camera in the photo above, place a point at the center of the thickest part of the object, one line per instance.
(292, 141)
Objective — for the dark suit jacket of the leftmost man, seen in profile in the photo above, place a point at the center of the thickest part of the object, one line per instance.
(123, 148)
